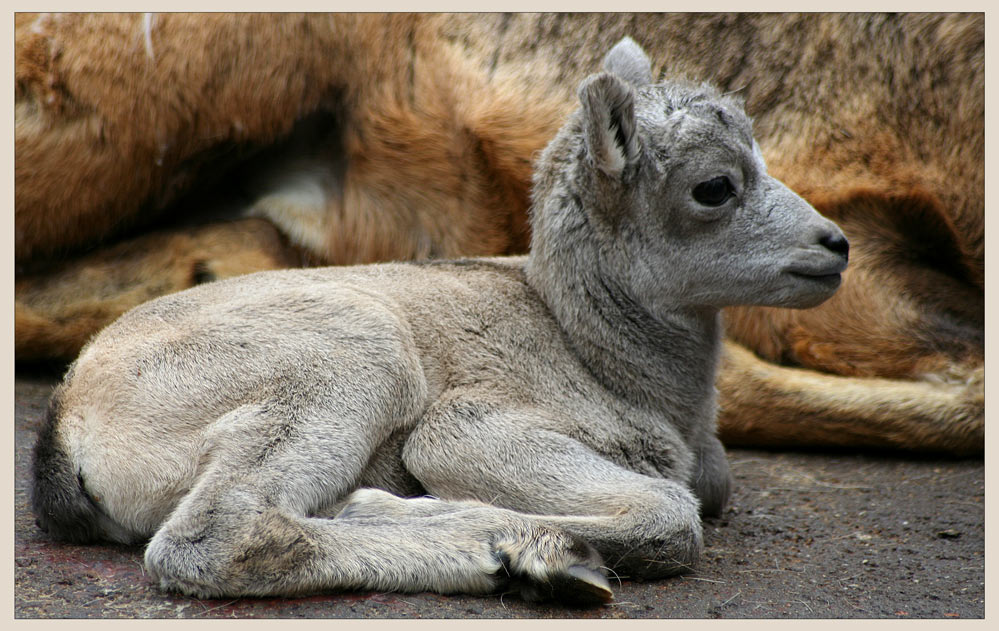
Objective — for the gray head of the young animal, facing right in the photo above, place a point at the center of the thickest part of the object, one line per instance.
(662, 187)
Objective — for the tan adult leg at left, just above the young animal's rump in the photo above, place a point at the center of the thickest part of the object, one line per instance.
(56, 310)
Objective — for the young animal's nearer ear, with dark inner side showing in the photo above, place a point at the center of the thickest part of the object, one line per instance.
(609, 123)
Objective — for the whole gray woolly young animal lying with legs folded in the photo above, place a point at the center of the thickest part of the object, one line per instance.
(556, 412)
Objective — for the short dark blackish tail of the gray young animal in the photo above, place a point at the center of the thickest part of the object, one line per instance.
(61, 504)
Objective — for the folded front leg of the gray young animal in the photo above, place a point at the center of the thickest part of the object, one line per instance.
(643, 526)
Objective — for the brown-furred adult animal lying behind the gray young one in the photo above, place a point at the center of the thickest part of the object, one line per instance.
(878, 121)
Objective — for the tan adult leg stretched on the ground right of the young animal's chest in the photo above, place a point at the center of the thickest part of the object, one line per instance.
(766, 404)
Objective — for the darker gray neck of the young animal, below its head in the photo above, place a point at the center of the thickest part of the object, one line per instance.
(665, 361)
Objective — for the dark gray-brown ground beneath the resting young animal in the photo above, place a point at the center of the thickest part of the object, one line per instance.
(807, 535)
